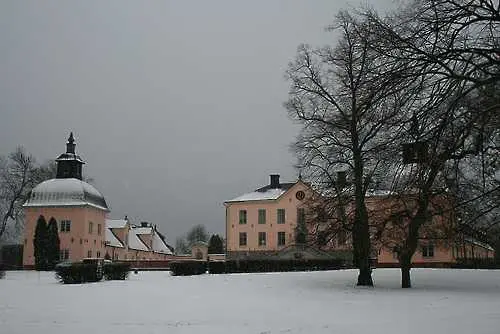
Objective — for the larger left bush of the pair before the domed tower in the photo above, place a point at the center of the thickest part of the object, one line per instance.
(78, 272)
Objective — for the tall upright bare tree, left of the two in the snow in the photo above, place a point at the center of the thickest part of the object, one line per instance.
(346, 97)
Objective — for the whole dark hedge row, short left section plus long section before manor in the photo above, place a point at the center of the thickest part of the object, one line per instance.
(183, 268)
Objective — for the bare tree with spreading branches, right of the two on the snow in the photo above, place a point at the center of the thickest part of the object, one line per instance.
(453, 49)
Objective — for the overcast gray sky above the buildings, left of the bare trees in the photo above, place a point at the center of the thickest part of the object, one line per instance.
(176, 106)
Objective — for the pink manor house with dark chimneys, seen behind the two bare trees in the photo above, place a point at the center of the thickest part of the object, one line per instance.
(268, 221)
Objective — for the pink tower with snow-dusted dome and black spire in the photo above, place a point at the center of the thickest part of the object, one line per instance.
(79, 209)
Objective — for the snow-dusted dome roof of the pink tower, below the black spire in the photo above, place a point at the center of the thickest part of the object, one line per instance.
(66, 192)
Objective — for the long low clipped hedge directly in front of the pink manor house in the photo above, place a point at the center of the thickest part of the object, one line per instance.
(274, 265)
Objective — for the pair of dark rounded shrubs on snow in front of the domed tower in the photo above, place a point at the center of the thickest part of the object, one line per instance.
(80, 272)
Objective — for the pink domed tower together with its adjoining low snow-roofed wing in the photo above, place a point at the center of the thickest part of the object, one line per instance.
(81, 212)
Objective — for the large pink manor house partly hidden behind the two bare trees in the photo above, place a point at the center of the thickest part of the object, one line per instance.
(264, 222)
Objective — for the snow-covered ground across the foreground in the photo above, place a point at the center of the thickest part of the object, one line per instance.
(442, 301)
